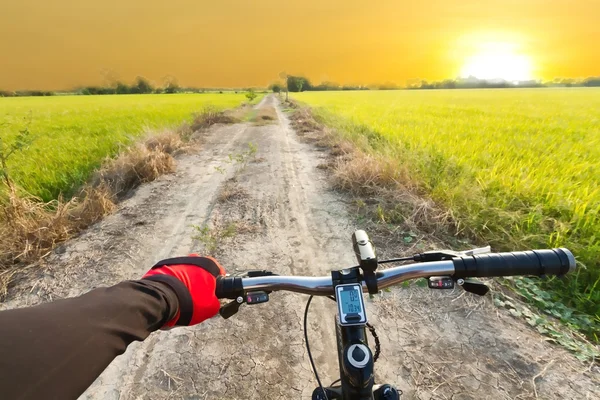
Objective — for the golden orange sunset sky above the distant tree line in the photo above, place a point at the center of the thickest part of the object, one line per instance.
(62, 44)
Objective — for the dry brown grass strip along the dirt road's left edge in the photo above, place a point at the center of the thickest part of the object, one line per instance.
(31, 228)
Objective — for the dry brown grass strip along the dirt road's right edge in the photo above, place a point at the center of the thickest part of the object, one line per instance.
(386, 193)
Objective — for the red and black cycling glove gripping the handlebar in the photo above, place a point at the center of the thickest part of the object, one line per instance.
(193, 279)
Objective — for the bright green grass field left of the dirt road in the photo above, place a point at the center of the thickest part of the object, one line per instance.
(72, 134)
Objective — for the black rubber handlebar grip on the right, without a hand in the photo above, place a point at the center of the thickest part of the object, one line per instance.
(534, 262)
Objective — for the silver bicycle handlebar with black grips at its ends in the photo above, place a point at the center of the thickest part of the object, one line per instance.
(534, 262)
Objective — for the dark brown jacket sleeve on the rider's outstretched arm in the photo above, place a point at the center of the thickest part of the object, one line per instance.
(56, 350)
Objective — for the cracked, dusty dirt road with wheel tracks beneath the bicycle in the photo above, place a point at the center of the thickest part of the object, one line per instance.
(264, 204)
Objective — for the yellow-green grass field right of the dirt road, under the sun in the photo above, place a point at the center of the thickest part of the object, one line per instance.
(519, 168)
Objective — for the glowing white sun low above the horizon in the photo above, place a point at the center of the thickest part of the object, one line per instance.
(498, 61)
